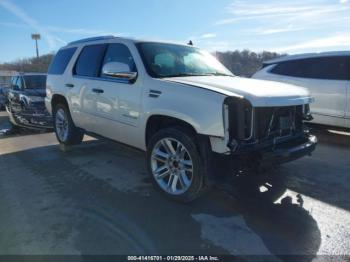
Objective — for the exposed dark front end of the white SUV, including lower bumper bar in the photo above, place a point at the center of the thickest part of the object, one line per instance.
(266, 135)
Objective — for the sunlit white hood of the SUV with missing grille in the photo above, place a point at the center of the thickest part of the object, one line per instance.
(258, 92)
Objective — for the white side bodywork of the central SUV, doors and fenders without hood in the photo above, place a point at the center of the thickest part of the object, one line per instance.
(122, 111)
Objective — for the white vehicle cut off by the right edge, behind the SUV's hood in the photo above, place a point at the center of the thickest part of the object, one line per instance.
(327, 77)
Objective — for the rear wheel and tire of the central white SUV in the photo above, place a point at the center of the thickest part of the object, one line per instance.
(66, 132)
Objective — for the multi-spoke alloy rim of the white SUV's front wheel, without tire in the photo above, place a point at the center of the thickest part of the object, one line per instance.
(172, 166)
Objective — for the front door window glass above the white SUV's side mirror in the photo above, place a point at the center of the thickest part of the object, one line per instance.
(121, 54)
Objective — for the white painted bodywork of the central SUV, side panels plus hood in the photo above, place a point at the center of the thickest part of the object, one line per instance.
(122, 111)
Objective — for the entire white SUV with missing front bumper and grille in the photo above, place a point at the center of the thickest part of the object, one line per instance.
(193, 117)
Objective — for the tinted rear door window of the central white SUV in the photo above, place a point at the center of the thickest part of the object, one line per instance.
(89, 61)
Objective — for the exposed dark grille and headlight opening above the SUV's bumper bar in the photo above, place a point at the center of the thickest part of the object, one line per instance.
(250, 128)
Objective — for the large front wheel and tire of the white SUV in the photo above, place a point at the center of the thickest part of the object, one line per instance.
(175, 165)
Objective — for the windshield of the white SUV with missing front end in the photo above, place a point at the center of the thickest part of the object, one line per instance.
(170, 60)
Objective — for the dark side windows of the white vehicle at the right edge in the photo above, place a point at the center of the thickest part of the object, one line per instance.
(332, 68)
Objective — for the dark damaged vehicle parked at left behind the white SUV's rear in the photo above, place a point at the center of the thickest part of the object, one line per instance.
(26, 105)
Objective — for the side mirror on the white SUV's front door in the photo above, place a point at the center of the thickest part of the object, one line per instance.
(119, 70)
